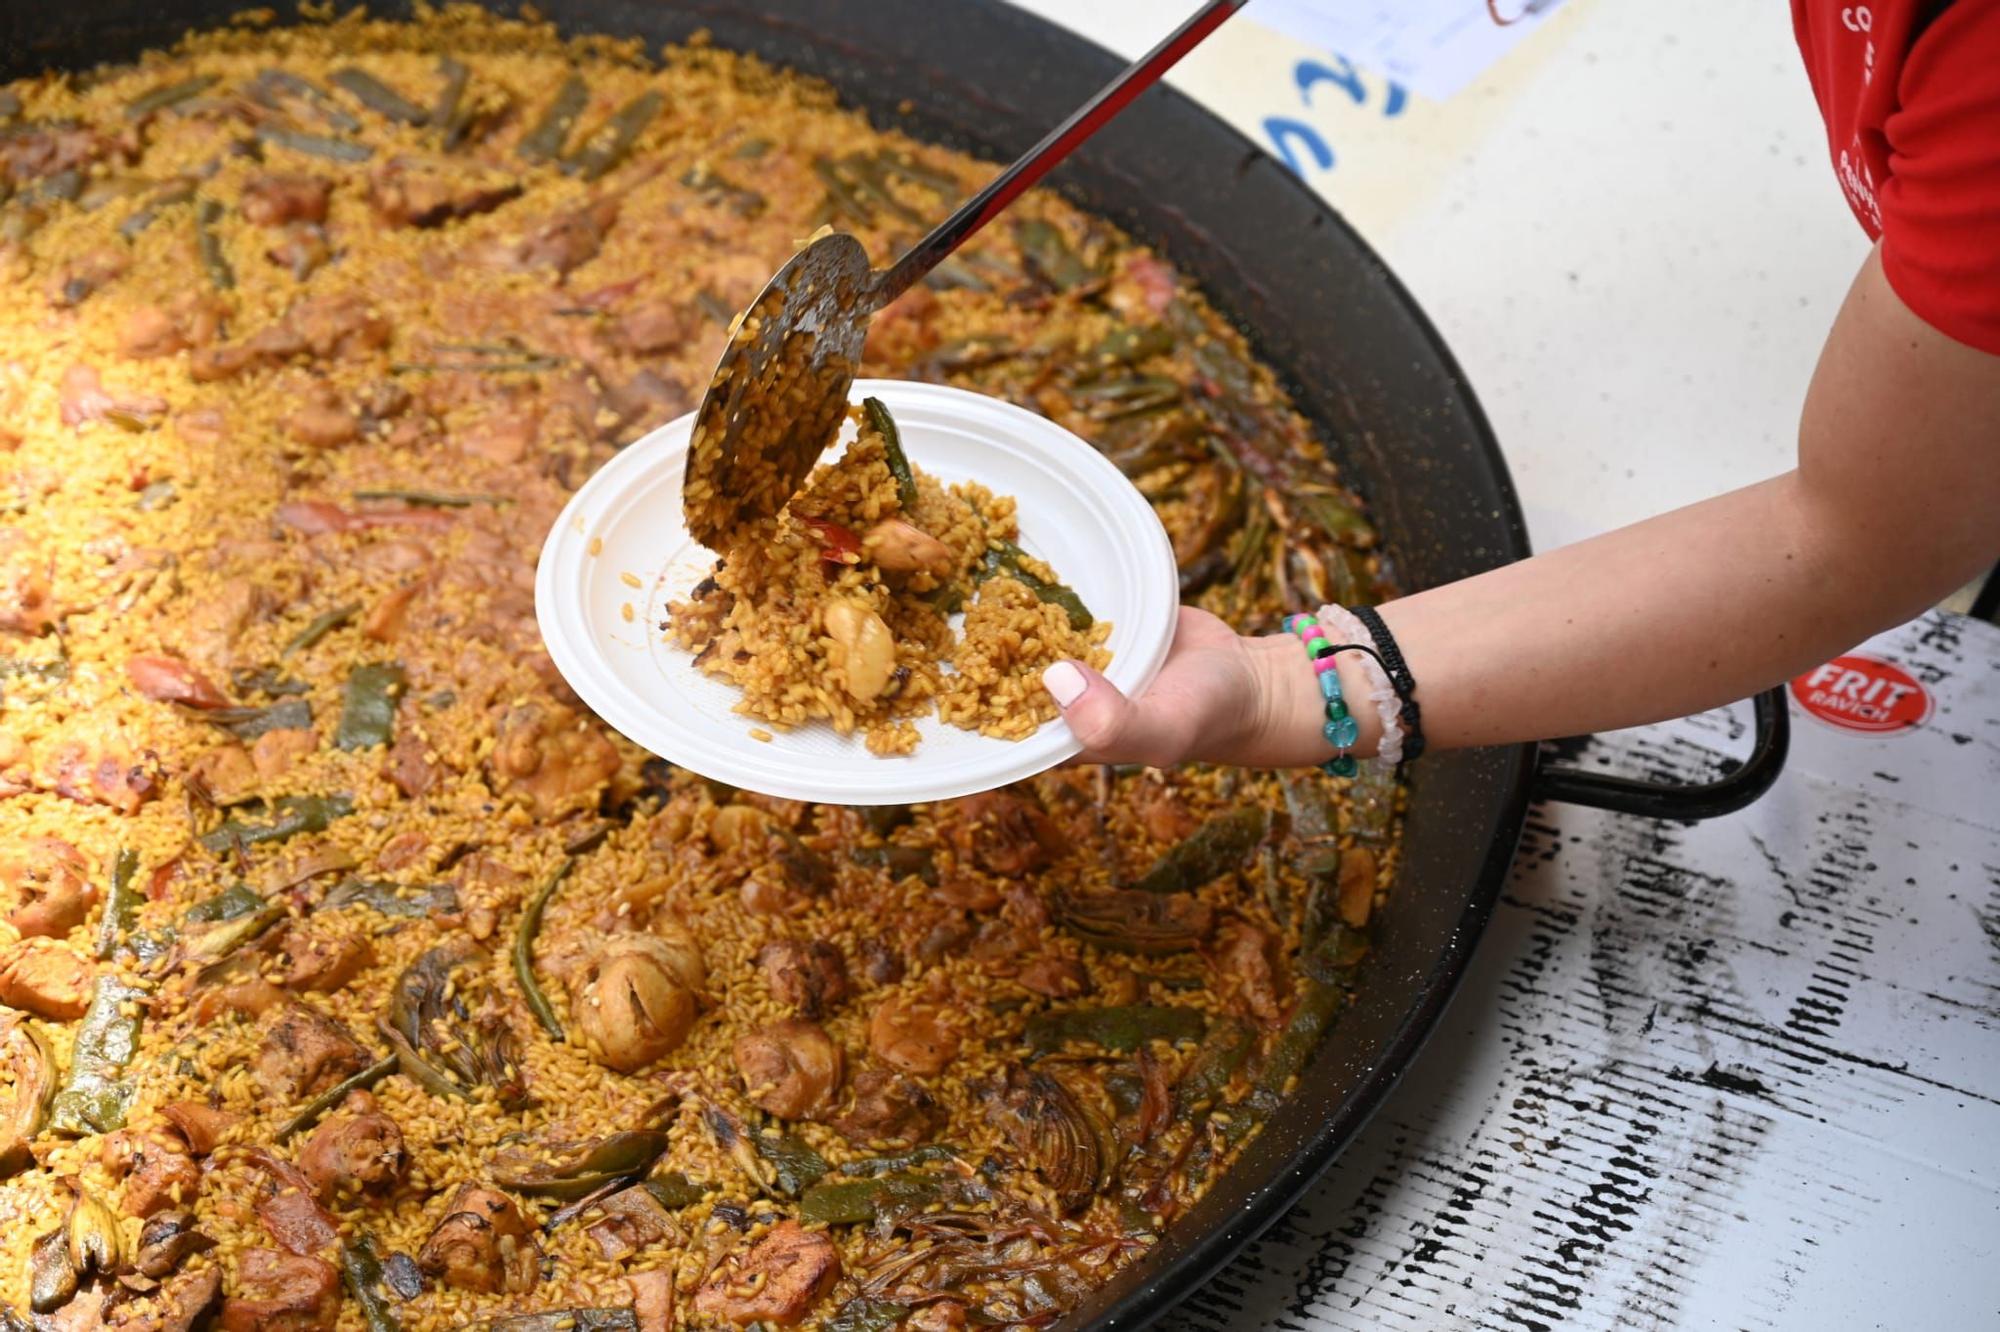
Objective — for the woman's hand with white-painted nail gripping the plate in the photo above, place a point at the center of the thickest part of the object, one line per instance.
(1219, 699)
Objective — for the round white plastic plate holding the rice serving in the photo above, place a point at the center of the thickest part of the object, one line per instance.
(601, 613)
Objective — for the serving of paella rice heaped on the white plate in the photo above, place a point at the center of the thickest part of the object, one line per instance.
(839, 609)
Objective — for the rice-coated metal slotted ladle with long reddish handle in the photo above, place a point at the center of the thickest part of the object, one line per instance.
(783, 383)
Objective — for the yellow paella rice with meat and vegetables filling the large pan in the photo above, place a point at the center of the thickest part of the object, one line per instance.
(351, 973)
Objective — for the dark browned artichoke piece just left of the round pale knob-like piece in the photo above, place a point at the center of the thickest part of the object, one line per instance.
(447, 1033)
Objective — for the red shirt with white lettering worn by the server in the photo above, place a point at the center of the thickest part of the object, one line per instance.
(1911, 95)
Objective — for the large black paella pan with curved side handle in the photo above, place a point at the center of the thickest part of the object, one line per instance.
(1363, 365)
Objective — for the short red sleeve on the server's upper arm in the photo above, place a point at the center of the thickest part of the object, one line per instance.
(1941, 203)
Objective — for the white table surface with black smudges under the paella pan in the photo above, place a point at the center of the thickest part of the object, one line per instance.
(1737, 1075)
